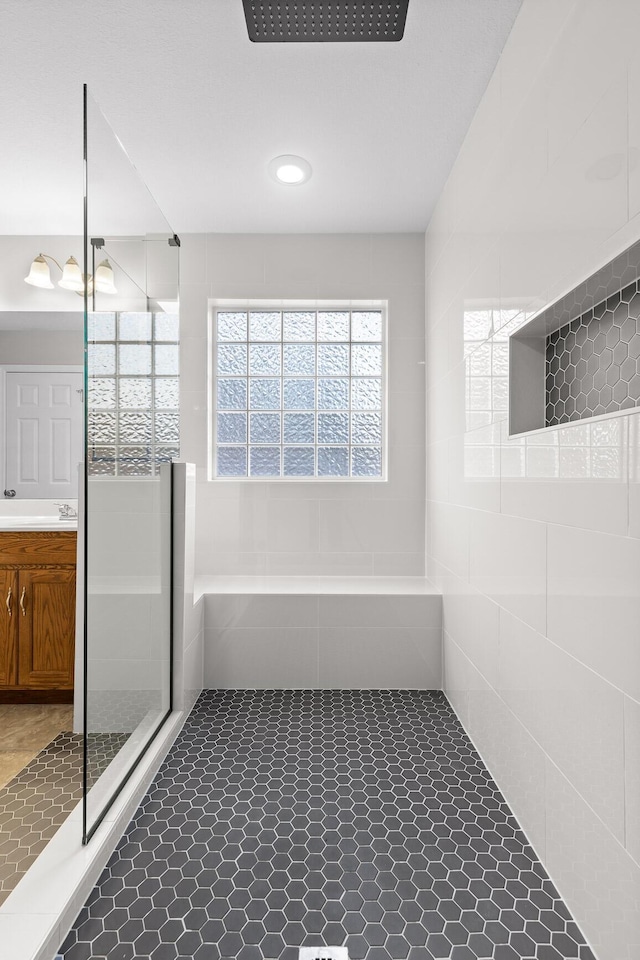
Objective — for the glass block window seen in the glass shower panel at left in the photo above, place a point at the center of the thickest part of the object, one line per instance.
(133, 420)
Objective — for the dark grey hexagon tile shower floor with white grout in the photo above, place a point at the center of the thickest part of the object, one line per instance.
(288, 818)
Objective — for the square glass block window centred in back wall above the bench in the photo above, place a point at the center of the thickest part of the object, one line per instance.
(299, 393)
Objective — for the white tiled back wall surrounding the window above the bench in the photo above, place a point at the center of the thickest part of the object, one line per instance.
(310, 528)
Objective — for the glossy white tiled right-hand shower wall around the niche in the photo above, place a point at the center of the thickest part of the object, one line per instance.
(535, 543)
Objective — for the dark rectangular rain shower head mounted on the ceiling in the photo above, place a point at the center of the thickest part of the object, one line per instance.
(325, 21)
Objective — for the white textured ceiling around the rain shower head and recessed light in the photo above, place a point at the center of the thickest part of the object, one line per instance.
(201, 111)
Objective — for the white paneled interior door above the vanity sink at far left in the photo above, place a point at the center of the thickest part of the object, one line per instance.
(43, 434)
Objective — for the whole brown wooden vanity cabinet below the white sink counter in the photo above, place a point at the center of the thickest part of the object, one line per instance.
(37, 616)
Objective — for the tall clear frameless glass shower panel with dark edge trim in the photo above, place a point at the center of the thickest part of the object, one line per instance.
(132, 435)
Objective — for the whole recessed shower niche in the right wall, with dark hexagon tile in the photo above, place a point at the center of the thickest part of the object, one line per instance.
(579, 357)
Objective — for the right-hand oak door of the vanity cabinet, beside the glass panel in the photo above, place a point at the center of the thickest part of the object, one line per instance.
(46, 614)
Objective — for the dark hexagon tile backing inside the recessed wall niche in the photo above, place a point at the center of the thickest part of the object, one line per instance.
(593, 363)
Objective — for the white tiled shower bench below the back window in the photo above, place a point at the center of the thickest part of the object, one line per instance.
(321, 632)
